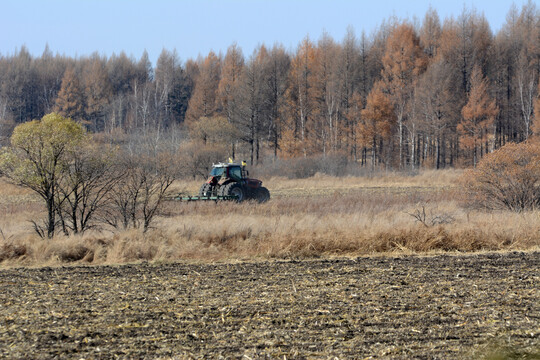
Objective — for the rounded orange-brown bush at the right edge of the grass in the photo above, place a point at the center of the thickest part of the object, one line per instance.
(508, 178)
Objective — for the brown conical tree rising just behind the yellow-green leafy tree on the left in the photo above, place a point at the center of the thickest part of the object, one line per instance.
(70, 100)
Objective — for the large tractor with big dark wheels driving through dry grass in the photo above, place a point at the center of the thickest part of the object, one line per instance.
(231, 181)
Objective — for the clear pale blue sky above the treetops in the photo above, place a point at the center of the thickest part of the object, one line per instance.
(81, 27)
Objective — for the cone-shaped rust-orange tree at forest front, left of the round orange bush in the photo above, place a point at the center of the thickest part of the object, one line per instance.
(478, 116)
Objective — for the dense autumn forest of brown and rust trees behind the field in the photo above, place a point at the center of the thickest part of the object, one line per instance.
(430, 93)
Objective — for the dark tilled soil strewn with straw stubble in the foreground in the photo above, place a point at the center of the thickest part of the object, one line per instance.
(438, 307)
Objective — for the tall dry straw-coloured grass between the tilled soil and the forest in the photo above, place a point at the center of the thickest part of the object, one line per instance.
(319, 216)
